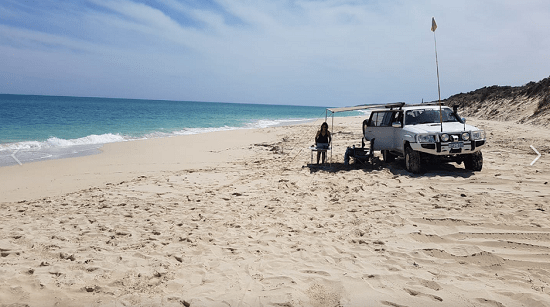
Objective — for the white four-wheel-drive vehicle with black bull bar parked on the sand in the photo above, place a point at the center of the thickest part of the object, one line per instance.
(418, 133)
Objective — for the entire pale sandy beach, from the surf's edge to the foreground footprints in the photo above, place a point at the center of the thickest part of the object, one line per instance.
(239, 218)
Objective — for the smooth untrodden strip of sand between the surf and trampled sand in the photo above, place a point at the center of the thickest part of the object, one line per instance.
(122, 161)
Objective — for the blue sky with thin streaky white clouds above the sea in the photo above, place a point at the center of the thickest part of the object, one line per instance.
(308, 52)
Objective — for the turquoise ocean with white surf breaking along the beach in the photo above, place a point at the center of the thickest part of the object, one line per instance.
(34, 128)
